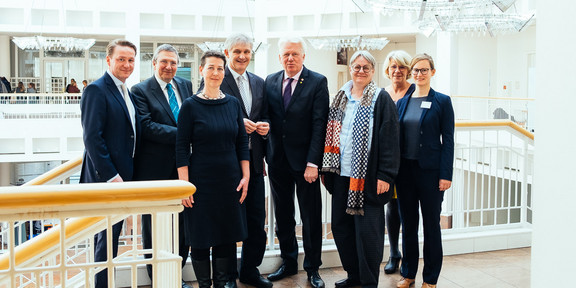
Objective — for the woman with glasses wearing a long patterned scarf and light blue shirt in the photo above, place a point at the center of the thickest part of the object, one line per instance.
(361, 159)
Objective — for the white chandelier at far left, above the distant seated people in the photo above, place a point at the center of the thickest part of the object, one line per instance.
(65, 44)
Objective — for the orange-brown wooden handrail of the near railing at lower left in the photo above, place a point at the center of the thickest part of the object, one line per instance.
(60, 197)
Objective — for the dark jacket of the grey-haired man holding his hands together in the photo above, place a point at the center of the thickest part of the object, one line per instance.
(229, 86)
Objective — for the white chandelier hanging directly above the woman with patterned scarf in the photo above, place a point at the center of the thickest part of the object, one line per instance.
(358, 43)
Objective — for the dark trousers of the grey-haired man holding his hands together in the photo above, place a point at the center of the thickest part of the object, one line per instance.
(254, 246)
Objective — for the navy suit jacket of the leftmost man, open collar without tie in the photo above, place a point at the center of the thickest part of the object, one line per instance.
(108, 135)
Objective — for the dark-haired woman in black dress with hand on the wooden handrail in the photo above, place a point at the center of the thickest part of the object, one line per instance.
(212, 153)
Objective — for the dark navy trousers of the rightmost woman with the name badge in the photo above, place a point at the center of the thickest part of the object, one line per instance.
(418, 190)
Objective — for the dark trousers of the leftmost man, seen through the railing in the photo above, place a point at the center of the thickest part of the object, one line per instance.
(101, 253)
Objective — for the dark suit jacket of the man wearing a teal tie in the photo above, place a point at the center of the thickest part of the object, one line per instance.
(156, 156)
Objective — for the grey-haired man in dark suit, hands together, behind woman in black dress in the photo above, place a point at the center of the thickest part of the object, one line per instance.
(249, 89)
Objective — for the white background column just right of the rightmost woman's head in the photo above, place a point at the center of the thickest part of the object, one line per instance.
(445, 62)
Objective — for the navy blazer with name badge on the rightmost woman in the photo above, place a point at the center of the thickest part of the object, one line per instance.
(436, 133)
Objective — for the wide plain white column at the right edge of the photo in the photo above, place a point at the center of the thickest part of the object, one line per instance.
(554, 230)
